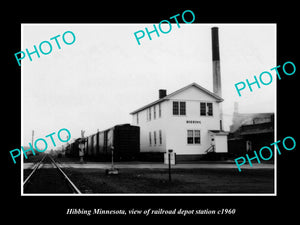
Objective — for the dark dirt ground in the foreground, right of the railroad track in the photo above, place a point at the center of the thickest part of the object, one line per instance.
(183, 181)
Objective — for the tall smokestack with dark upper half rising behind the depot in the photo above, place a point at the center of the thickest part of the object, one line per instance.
(216, 68)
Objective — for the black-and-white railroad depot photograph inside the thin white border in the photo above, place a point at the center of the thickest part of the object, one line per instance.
(162, 117)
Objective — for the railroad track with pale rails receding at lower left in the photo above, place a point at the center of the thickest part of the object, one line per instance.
(48, 177)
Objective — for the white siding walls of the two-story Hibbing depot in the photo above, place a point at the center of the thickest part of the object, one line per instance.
(174, 127)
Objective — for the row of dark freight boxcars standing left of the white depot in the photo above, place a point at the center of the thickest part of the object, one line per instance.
(124, 139)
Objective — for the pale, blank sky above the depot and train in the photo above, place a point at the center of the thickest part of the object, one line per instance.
(104, 75)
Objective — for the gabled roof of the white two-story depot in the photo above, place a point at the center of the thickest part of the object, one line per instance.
(167, 97)
